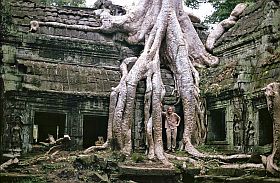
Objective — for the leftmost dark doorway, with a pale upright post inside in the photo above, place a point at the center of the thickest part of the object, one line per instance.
(49, 123)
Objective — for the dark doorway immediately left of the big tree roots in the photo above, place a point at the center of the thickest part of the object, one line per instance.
(94, 127)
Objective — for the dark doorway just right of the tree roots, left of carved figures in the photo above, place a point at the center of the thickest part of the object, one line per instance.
(217, 125)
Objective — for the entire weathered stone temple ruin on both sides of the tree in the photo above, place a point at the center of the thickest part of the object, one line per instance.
(57, 79)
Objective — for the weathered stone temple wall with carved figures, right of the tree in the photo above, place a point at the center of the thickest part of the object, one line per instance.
(237, 113)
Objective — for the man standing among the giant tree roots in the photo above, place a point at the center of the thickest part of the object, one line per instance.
(172, 121)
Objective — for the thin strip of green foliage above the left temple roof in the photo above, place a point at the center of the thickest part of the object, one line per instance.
(76, 3)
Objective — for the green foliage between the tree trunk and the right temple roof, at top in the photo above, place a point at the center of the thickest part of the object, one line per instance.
(223, 9)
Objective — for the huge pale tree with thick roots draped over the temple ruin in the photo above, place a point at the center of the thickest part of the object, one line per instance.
(169, 39)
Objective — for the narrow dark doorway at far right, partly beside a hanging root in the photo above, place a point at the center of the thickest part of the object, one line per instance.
(265, 127)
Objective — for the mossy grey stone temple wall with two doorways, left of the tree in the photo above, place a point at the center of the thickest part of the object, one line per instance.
(56, 80)
